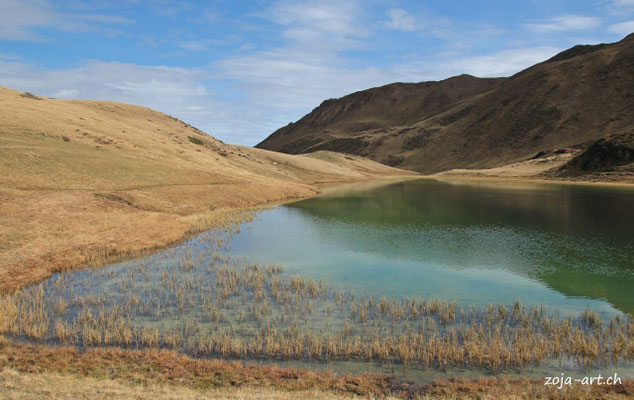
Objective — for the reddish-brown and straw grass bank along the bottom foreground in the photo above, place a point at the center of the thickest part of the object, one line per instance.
(38, 372)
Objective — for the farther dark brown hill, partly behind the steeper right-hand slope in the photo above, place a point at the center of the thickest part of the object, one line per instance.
(356, 122)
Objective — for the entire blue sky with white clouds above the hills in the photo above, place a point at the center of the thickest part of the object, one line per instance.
(239, 70)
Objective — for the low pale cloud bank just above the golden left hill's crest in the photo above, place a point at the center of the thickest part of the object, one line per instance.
(177, 91)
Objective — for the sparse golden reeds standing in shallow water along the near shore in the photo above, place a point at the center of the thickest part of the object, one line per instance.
(199, 300)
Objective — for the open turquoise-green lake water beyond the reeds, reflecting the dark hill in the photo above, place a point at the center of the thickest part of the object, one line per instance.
(569, 247)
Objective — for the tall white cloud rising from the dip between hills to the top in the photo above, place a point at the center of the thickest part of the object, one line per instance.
(282, 83)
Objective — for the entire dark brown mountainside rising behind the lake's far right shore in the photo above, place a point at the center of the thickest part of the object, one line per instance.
(568, 101)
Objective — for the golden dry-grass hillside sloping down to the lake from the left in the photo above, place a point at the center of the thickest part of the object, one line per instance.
(90, 181)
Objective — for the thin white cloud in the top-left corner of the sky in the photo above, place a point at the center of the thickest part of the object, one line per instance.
(20, 20)
